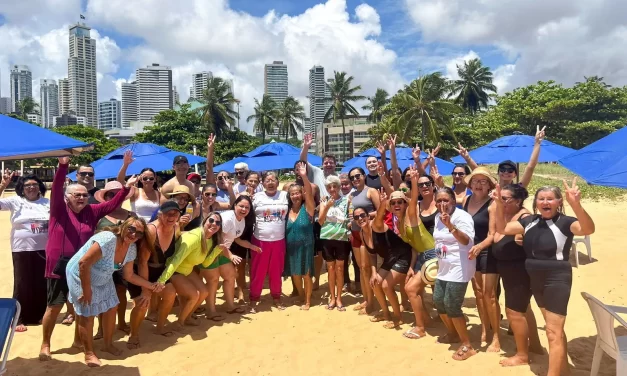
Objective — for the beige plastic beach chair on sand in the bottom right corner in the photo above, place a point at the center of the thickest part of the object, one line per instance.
(607, 341)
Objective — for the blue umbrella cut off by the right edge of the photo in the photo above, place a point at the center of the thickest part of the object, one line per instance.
(603, 162)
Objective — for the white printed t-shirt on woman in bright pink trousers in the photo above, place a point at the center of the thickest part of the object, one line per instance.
(271, 212)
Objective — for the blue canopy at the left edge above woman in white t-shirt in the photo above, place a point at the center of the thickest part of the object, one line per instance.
(23, 140)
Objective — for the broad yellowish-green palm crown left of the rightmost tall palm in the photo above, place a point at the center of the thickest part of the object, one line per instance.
(423, 104)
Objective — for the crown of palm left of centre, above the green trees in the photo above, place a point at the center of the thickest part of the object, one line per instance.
(218, 103)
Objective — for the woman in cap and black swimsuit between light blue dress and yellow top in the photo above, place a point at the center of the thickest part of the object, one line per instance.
(161, 236)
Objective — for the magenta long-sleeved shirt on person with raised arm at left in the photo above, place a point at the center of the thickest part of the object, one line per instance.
(68, 231)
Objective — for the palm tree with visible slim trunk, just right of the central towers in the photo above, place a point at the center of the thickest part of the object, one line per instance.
(342, 94)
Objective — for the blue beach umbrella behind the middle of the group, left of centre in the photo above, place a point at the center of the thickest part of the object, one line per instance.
(270, 156)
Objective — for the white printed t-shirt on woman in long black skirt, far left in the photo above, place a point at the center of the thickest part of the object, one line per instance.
(29, 219)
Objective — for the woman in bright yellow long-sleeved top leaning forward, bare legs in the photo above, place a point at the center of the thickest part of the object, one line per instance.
(199, 246)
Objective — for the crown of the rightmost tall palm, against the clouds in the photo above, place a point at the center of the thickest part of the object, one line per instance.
(473, 85)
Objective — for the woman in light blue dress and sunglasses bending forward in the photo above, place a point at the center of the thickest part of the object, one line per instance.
(90, 282)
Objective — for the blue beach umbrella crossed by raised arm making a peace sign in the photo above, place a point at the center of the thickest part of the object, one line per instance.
(516, 148)
